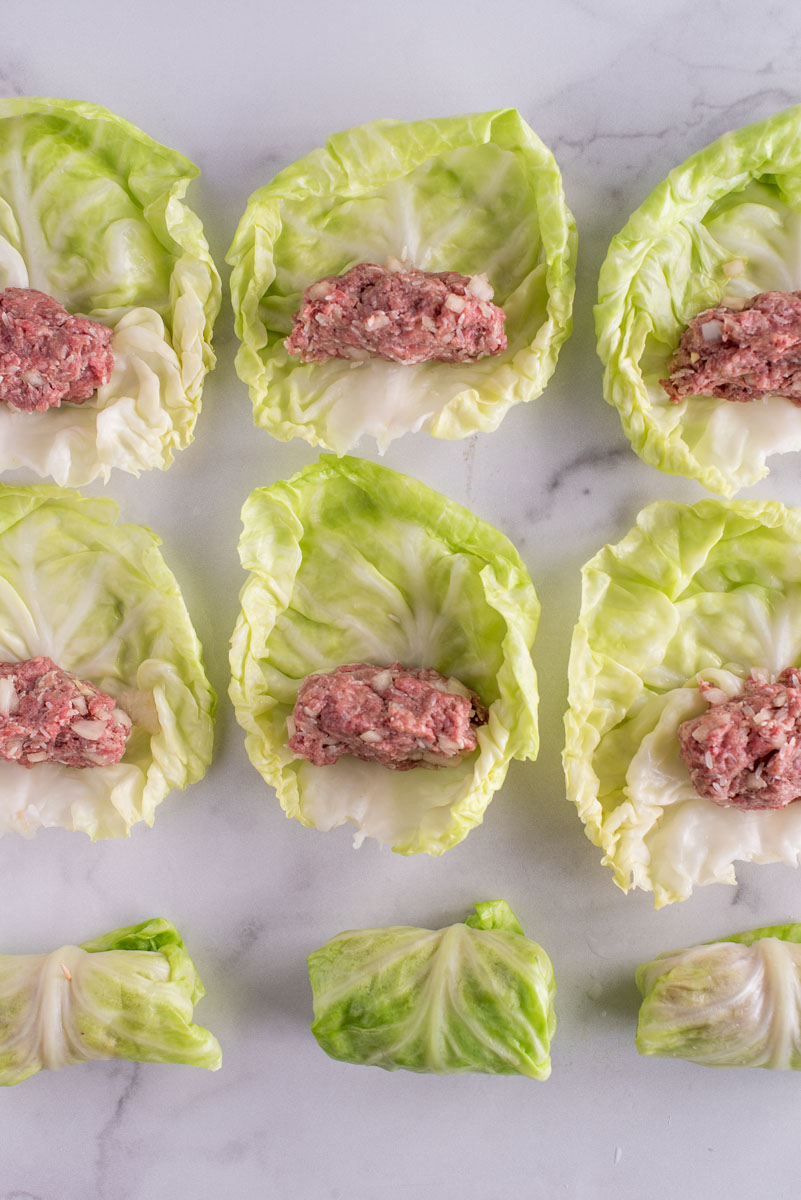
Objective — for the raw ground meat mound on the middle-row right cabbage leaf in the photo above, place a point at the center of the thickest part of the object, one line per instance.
(746, 752)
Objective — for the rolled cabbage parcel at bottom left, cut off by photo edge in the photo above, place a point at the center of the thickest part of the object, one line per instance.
(127, 995)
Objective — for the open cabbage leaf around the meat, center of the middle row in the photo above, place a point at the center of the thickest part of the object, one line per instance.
(352, 562)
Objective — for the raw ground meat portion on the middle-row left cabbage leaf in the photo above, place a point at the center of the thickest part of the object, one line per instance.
(50, 716)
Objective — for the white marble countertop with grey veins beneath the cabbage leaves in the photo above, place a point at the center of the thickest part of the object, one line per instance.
(622, 92)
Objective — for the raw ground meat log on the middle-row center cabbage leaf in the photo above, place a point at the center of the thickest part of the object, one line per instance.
(401, 718)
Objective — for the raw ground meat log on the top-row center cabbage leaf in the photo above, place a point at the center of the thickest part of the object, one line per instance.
(405, 316)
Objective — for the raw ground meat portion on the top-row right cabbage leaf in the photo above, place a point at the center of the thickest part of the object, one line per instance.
(742, 356)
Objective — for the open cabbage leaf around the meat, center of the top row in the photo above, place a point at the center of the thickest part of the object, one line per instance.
(465, 194)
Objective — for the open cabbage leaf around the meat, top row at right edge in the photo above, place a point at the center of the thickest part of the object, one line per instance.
(733, 207)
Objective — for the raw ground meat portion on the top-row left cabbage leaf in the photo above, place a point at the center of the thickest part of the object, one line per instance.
(46, 355)
